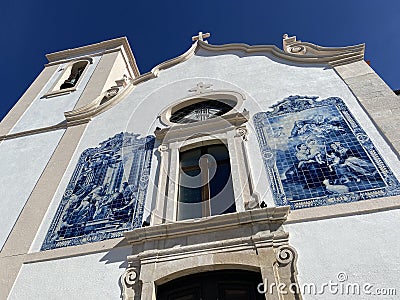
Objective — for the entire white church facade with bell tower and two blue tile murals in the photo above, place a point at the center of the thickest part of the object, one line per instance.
(228, 172)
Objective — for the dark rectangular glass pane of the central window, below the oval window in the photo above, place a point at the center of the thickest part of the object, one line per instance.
(205, 182)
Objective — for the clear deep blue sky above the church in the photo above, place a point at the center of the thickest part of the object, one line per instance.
(159, 30)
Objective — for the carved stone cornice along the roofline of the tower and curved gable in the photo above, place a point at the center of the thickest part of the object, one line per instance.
(304, 53)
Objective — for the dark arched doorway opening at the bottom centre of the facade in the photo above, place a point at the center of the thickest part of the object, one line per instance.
(214, 285)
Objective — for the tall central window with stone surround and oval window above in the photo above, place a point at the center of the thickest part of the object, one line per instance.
(203, 162)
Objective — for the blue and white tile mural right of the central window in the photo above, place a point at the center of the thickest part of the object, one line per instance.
(316, 153)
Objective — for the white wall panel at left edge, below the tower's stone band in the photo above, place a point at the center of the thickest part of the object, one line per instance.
(23, 161)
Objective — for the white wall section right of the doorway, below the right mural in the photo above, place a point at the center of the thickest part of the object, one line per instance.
(365, 248)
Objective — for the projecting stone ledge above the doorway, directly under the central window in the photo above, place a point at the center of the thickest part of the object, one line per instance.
(274, 215)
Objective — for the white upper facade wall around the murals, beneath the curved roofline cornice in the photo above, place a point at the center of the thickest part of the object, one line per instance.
(264, 80)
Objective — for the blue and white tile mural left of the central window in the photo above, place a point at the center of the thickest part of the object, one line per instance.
(106, 193)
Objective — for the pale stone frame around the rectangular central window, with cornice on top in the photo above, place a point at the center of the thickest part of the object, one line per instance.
(229, 128)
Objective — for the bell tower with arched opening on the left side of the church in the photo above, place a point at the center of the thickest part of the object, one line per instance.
(39, 135)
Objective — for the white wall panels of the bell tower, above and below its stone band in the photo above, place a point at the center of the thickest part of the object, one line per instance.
(24, 159)
